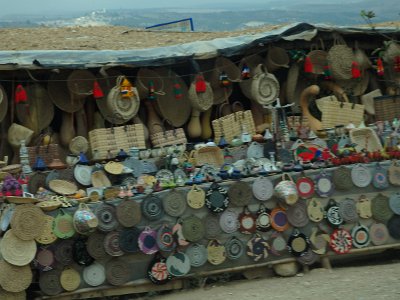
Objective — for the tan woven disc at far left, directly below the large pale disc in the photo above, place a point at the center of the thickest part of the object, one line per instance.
(13, 278)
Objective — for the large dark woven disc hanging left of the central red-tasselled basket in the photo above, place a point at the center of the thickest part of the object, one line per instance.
(176, 109)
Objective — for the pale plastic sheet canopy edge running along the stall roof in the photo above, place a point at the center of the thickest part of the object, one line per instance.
(231, 46)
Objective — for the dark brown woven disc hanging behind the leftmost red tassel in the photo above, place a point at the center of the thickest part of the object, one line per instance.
(38, 111)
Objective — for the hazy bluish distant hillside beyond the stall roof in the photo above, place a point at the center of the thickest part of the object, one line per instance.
(220, 18)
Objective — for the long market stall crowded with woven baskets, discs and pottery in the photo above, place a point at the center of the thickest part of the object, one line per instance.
(134, 174)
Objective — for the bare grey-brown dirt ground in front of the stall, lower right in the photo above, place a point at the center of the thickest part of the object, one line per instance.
(367, 280)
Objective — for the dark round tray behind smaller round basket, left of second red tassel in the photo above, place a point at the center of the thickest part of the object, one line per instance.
(60, 94)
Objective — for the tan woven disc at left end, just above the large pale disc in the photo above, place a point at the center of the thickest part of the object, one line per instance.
(27, 221)
